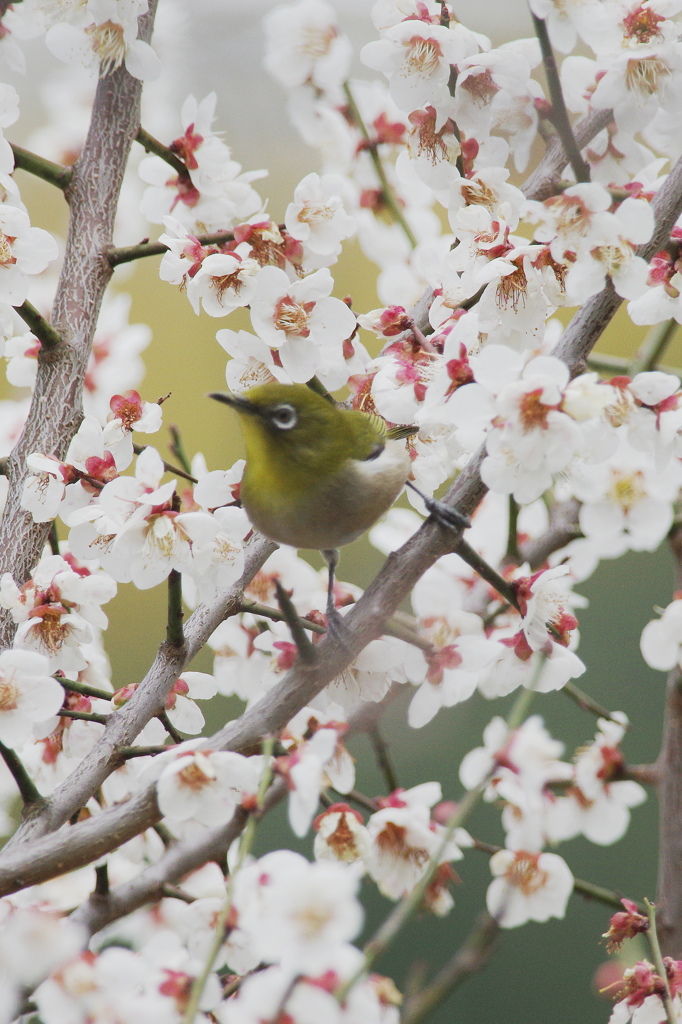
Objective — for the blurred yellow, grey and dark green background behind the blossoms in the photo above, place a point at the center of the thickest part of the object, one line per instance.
(540, 973)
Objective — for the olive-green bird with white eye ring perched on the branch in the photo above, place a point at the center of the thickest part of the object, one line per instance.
(318, 476)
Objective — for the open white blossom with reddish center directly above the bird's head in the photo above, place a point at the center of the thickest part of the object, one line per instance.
(305, 324)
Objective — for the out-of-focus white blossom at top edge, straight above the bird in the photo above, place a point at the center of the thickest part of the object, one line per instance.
(305, 47)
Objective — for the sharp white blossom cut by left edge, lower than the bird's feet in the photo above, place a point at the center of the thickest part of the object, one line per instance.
(28, 695)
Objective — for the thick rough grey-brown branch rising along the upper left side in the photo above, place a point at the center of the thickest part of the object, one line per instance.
(57, 406)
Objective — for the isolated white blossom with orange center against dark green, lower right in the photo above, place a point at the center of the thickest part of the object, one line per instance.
(528, 887)
